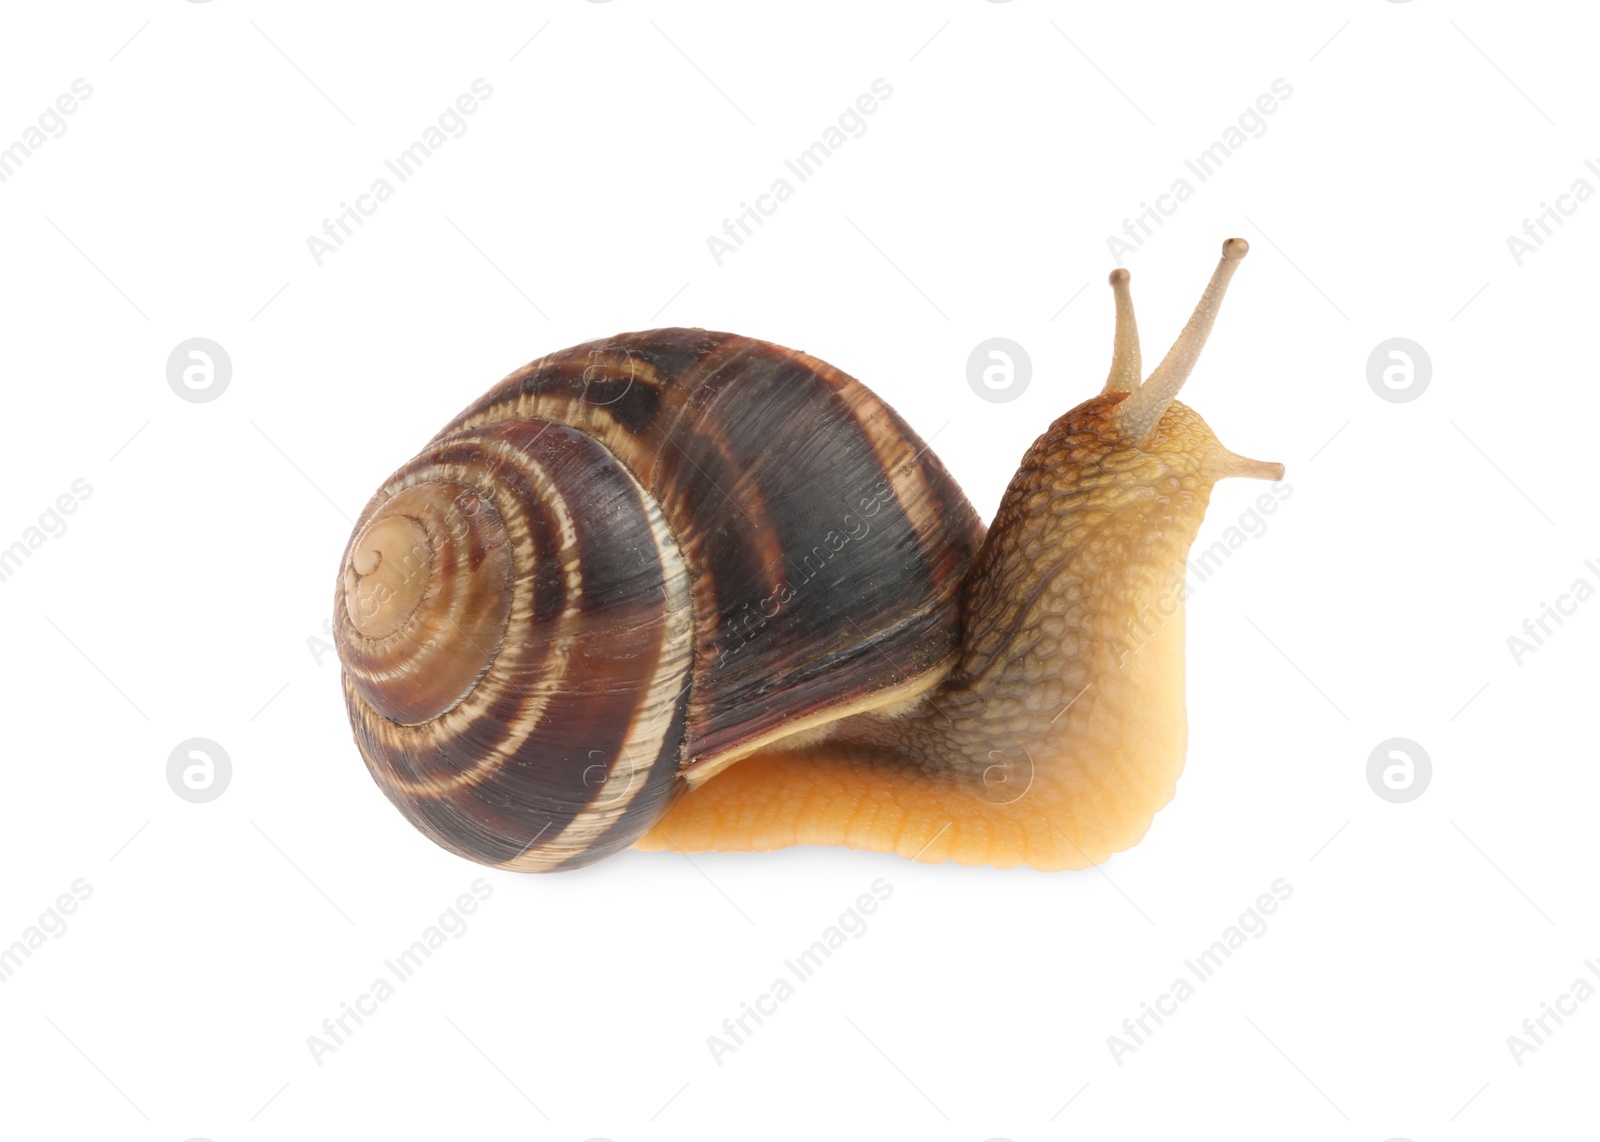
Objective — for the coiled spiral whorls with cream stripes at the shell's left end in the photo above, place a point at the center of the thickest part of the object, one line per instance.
(514, 621)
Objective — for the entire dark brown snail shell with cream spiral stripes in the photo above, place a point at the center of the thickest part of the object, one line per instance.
(628, 565)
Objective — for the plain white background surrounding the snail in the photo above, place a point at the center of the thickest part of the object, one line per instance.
(188, 593)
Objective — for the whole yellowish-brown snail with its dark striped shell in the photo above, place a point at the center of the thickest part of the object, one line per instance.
(692, 591)
